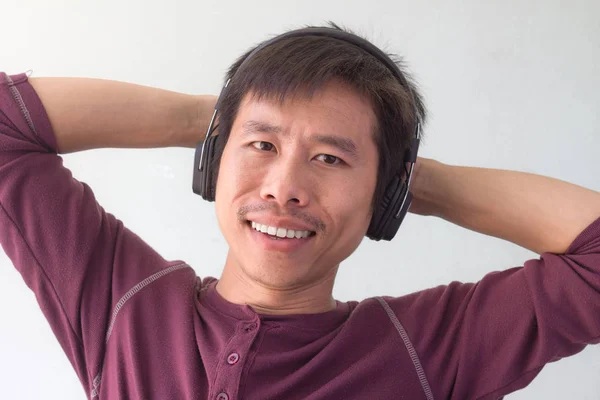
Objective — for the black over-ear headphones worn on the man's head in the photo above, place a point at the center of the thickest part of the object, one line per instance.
(389, 214)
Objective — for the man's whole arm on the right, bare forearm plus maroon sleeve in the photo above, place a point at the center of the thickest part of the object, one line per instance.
(487, 339)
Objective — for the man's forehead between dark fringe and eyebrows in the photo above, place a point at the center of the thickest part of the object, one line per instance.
(335, 108)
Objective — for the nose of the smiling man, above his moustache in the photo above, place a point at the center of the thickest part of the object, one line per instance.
(287, 183)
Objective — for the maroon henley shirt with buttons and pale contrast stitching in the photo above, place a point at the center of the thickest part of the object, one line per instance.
(136, 326)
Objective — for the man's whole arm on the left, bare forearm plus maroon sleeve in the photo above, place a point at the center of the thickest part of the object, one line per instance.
(78, 259)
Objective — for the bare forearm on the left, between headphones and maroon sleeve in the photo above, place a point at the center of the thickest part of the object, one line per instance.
(95, 113)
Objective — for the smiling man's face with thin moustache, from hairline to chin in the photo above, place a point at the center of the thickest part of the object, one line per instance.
(304, 172)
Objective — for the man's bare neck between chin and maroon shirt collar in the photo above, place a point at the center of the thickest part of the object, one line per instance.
(237, 287)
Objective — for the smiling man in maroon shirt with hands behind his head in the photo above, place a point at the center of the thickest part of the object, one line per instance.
(309, 136)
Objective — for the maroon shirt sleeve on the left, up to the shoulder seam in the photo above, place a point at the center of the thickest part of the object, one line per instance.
(78, 259)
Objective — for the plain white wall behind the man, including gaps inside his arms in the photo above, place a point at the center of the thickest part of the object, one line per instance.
(510, 84)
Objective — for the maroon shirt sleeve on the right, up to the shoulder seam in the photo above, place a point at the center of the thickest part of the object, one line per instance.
(487, 339)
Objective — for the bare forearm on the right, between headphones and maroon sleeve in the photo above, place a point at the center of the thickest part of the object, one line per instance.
(539, 213)
